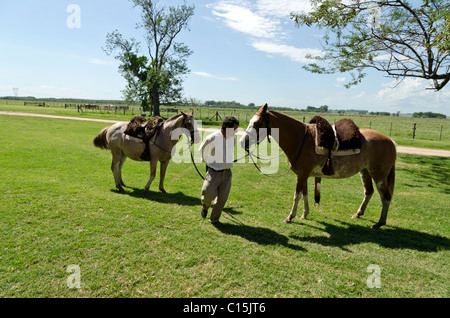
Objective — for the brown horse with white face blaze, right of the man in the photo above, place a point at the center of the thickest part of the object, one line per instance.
(376, 159)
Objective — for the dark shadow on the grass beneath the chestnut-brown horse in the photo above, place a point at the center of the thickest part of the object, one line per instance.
(388, 237)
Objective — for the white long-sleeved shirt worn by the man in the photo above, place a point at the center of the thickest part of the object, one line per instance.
(218, 152)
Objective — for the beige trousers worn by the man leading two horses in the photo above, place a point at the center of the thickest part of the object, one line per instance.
(217, 184)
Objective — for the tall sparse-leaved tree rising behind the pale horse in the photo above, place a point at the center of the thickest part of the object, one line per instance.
(157, 77)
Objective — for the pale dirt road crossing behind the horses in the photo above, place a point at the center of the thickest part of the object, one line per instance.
(400, 149)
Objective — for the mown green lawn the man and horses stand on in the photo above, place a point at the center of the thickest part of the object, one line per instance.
(59, 208)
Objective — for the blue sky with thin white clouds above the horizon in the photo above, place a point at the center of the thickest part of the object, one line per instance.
(246, 51)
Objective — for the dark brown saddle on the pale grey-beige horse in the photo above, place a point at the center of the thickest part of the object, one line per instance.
(144, 129)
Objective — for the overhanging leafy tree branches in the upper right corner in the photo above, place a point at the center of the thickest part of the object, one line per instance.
(398, 37)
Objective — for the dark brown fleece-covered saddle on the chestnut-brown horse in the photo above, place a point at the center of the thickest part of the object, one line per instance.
(341, 139)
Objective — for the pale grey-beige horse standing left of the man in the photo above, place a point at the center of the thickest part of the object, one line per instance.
(123, 146)
